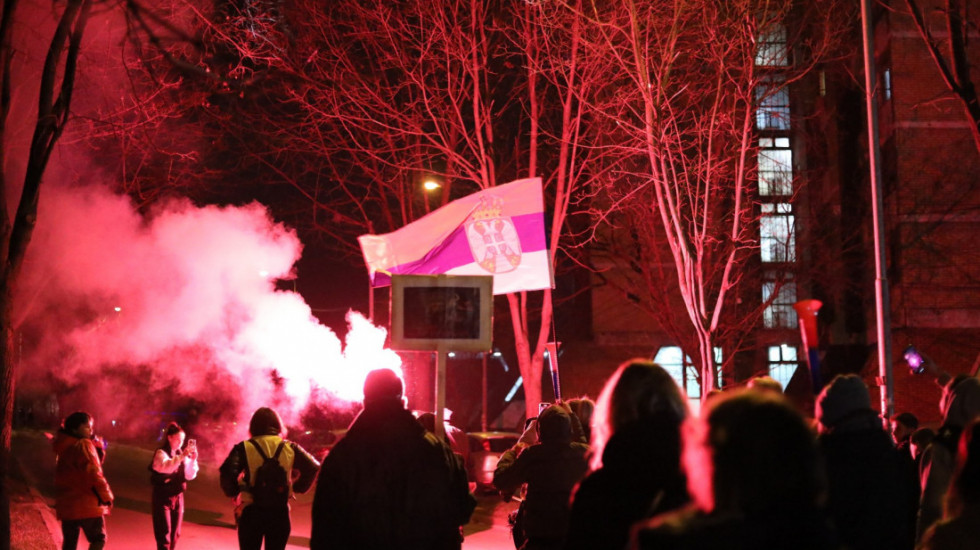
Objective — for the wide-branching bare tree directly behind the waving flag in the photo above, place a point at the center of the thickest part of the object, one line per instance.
(354, 104)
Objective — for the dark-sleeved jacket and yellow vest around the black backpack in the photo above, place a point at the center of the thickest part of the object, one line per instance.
(239, 468)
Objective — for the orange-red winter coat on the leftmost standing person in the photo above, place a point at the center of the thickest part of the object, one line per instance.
(81, 489)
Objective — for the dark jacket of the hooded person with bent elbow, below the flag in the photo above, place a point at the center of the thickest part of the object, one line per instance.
(551, 469)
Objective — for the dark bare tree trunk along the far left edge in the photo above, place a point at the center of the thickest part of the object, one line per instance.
(55, 87)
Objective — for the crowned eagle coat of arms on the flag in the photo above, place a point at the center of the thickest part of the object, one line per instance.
(493, 239)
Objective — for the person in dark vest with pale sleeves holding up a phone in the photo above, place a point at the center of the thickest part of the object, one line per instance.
(172, 467)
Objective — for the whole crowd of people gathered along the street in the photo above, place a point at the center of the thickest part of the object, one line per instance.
(632, 470)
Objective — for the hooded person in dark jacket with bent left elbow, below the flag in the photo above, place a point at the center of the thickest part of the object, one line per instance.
(550, 468)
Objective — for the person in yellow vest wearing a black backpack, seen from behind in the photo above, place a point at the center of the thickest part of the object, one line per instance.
(259, 475)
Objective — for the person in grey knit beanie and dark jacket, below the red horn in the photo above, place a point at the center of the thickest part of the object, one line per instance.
(873, 490)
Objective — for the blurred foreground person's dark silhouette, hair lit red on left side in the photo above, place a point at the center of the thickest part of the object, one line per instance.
(754, 472)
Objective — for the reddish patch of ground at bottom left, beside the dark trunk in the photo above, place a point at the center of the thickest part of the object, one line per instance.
(33, 525)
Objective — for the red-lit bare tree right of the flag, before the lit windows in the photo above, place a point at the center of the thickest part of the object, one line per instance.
(684, 186)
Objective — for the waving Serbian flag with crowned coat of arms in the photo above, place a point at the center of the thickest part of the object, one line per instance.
(497, 231)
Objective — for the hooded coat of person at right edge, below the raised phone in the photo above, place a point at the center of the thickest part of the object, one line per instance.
(961, 403)
